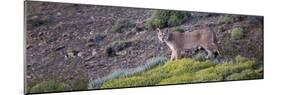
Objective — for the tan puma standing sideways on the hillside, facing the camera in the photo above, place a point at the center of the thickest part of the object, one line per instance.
(177, 42)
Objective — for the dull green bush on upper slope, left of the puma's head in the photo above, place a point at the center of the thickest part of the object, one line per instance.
(122, 25)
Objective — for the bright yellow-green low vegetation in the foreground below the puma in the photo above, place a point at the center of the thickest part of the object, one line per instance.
(190, 71)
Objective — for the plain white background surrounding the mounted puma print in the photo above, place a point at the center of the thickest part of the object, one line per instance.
(11, 39)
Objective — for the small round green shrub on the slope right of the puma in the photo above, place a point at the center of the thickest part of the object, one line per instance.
(237, 33)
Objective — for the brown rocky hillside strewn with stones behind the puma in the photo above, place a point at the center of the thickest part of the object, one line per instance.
(74, 43)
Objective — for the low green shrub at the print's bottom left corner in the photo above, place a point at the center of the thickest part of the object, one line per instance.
(49, 86)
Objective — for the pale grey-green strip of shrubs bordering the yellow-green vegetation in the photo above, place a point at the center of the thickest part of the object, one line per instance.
(153, 62)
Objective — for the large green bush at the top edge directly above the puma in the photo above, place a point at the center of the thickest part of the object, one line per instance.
(164, 18)
